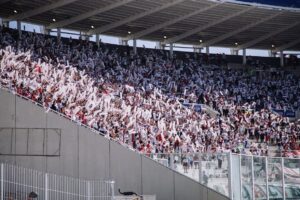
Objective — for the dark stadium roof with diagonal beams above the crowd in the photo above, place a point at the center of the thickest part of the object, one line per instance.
(197, 22)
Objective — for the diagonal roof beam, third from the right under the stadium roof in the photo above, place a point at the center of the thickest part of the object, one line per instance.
(230, 34)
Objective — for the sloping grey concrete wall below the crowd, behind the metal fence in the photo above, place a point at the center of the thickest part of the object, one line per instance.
(86, 154)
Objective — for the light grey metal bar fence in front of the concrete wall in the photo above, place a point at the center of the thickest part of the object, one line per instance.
(20, 183)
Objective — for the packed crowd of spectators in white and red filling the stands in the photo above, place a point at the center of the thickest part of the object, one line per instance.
(138, 99)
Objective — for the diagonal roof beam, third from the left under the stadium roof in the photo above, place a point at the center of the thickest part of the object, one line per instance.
(133, 18)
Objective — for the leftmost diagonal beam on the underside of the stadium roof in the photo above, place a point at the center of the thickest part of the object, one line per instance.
(40, 10)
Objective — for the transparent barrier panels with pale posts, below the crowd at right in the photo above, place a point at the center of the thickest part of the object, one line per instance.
(239, 177)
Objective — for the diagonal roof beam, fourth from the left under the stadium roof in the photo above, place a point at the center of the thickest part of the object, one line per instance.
(171, 22)
